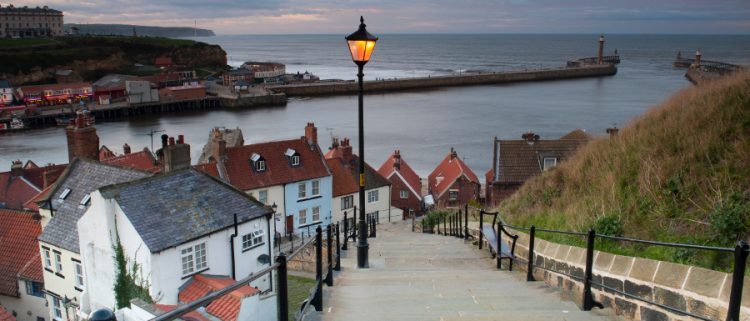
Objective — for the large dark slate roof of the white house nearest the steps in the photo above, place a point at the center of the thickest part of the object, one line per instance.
(173, 208)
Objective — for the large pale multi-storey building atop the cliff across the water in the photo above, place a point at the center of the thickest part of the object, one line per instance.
(25, 22)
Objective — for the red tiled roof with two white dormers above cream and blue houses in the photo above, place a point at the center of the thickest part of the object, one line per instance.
(278, 169)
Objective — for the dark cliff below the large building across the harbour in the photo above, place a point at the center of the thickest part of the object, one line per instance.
(92, 57)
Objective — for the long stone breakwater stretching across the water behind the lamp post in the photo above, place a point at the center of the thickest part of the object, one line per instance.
(386, 85)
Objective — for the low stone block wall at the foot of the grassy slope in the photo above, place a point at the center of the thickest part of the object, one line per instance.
(696, 290)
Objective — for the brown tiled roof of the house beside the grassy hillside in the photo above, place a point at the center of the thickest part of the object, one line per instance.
(518, 160)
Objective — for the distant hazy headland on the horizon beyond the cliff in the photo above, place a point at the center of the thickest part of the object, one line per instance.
(129, 30)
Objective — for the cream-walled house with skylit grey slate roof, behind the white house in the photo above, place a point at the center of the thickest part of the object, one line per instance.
(60, 211)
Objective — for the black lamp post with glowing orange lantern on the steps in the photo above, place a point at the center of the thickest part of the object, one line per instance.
(361, 43)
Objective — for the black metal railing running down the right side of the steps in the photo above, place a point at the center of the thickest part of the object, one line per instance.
(451, 226)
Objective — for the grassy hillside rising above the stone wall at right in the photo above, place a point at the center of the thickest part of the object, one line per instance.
(680, 173)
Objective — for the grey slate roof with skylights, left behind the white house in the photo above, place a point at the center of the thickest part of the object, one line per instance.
(82, 177)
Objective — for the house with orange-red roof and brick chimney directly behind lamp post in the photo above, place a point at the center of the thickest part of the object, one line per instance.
(344, 167)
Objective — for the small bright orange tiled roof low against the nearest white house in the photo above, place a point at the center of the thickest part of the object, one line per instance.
(225, 308)
